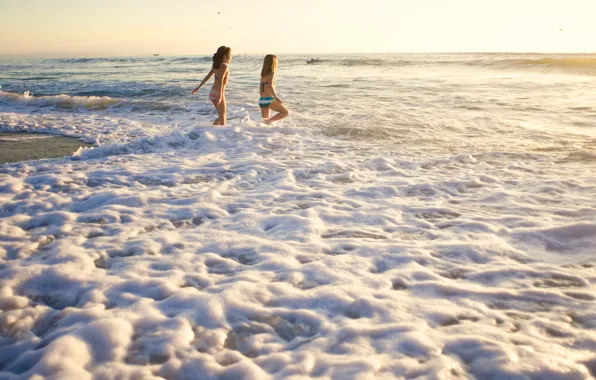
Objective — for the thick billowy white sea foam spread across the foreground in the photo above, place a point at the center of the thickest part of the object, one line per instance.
(246, 253)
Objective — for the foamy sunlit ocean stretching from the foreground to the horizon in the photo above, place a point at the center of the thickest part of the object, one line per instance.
(416, 216)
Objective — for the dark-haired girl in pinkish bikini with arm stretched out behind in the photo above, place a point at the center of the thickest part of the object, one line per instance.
(221, 58)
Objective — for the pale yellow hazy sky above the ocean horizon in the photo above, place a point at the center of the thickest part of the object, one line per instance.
(138, 27)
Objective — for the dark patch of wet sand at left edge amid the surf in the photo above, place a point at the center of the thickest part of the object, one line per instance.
(19, 146)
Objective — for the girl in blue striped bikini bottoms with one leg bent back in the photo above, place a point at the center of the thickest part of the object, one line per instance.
(269, 100)
